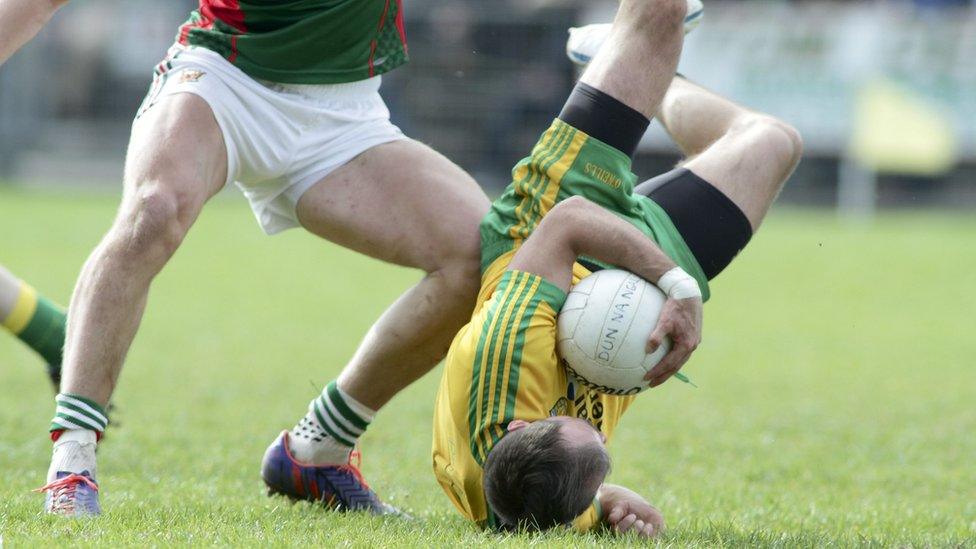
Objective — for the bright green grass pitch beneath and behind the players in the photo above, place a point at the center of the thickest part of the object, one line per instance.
(835, 408)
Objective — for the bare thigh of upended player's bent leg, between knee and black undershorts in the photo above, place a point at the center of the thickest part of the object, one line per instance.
(750, 163)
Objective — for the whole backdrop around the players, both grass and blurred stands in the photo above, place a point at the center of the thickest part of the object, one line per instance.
(836, 377)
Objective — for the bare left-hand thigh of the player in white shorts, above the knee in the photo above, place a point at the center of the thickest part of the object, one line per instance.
(176, 156)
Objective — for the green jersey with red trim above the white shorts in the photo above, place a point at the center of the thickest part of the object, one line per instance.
(302, 41)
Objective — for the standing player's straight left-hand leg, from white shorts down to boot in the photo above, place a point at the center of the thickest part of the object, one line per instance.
(176, 161)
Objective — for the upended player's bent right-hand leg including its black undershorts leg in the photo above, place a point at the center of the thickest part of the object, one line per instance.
(745, 155)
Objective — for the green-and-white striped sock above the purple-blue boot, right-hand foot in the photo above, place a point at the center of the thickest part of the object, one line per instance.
(330, 429)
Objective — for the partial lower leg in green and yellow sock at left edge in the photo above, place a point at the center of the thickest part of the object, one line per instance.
(34, 319)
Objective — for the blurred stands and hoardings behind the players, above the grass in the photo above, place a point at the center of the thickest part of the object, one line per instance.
(884, 92)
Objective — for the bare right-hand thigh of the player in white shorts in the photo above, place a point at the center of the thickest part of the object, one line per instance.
(401, 202)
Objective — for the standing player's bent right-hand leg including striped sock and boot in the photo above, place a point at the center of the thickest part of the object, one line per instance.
(403, 203)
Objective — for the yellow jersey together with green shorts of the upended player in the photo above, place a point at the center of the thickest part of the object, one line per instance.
(503, 365)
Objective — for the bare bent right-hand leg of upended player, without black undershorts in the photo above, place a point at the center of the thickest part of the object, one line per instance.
(746, 155)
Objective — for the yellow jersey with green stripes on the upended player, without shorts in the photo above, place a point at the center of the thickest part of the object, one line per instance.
(503, 366)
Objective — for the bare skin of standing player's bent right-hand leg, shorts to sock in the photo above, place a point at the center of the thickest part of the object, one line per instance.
(404, 203)
